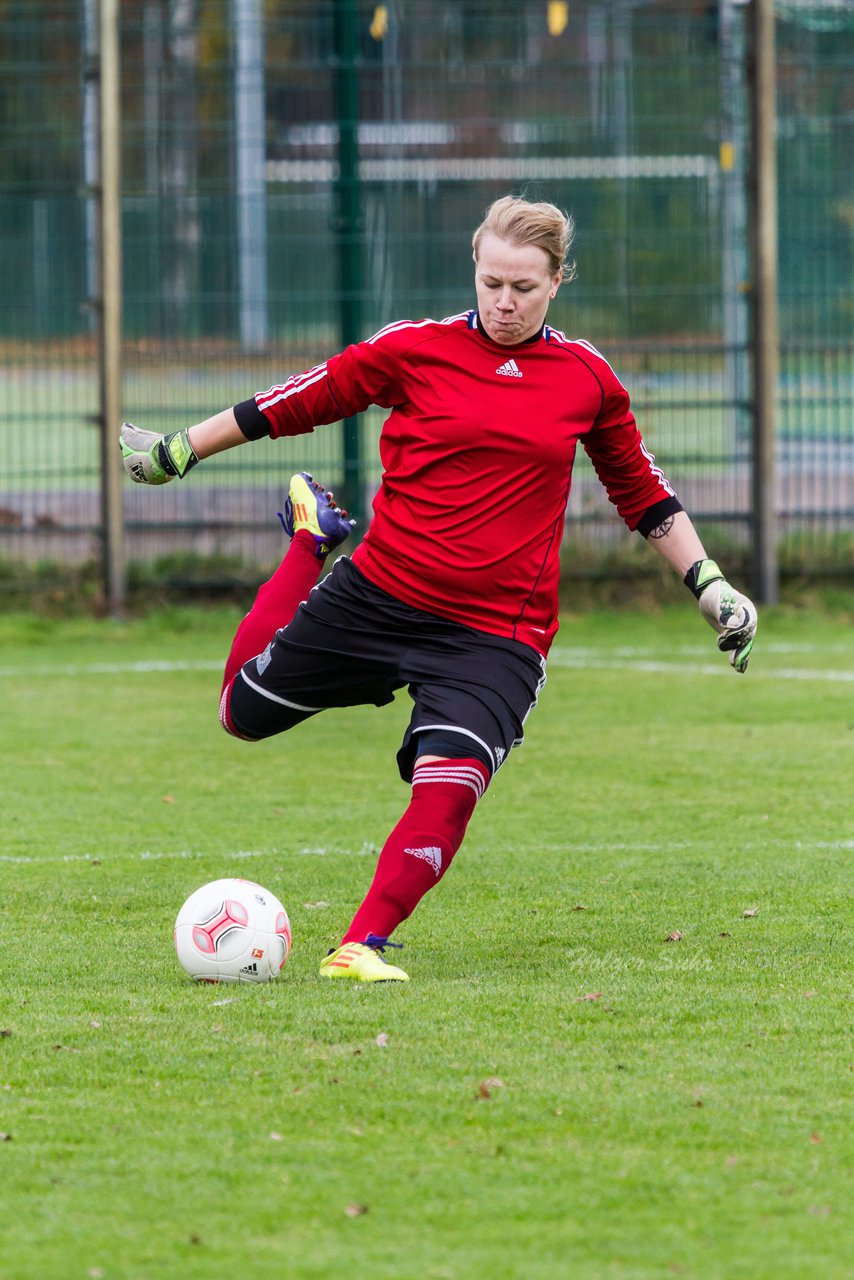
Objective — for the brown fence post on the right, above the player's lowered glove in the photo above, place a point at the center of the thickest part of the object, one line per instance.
(766, 324)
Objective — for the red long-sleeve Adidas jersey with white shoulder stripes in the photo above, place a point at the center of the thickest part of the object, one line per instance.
(477, 456)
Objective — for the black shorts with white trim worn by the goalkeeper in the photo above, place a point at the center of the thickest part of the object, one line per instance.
(351, 643)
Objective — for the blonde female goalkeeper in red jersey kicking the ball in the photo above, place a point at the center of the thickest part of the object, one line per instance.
(454, 591)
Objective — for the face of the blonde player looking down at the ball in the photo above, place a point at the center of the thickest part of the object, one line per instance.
(514, 286)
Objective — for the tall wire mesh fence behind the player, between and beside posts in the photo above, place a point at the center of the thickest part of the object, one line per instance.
(298, 175)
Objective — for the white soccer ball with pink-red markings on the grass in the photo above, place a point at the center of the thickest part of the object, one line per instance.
(232, 931)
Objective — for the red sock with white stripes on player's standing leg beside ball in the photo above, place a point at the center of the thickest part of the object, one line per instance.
(421, 849)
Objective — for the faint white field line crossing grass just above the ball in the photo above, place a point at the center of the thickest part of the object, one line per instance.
(372, 852)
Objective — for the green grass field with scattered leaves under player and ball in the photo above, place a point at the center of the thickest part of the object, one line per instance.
(560, 1091)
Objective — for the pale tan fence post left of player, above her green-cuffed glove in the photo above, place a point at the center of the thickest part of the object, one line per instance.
(109, 308)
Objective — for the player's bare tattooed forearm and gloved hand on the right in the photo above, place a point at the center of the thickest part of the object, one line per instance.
(728, 611)
